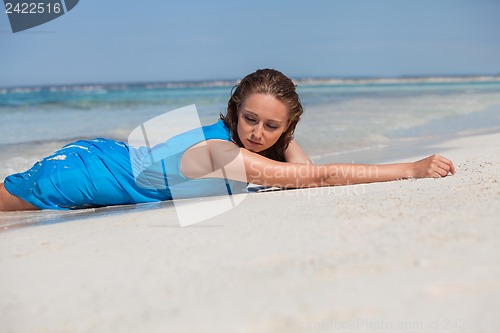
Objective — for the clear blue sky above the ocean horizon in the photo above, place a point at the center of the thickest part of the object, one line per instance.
(138, 41)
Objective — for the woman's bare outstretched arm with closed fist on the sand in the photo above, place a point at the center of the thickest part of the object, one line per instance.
(243, 165)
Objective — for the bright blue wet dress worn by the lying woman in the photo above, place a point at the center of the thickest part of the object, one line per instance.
(103, 172)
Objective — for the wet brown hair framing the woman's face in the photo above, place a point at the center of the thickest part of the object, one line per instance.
(269, 82)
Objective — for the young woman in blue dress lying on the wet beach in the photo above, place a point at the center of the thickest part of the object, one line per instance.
(252, 143)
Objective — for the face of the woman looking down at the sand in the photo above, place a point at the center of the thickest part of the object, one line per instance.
(261, 120)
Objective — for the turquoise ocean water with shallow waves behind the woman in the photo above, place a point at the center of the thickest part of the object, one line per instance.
(344, 120)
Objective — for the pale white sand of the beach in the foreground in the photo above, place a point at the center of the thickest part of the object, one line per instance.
(406, 256)
